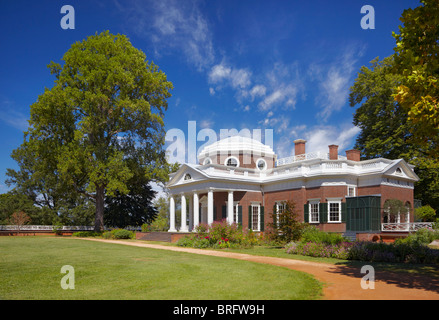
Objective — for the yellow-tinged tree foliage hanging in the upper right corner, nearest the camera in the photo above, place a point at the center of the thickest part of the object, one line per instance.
(417, 60)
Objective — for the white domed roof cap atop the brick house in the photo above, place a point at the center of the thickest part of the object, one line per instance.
(236, 144)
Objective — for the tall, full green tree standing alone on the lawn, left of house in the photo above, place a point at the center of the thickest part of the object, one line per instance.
(104, 112)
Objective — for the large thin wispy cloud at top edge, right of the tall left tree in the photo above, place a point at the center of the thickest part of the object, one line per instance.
(172, 24)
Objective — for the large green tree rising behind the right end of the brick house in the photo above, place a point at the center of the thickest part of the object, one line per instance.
(385, 126)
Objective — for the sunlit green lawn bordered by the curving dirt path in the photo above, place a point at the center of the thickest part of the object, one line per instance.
(30, 269)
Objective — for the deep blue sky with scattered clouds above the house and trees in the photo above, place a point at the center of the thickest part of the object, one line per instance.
(280, 65)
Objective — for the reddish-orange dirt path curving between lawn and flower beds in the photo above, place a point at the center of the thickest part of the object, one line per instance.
(341, 282)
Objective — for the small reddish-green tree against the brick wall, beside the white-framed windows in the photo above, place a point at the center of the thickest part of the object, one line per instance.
(285, 226)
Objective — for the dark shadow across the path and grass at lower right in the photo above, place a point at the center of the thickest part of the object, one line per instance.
(410, 276)
